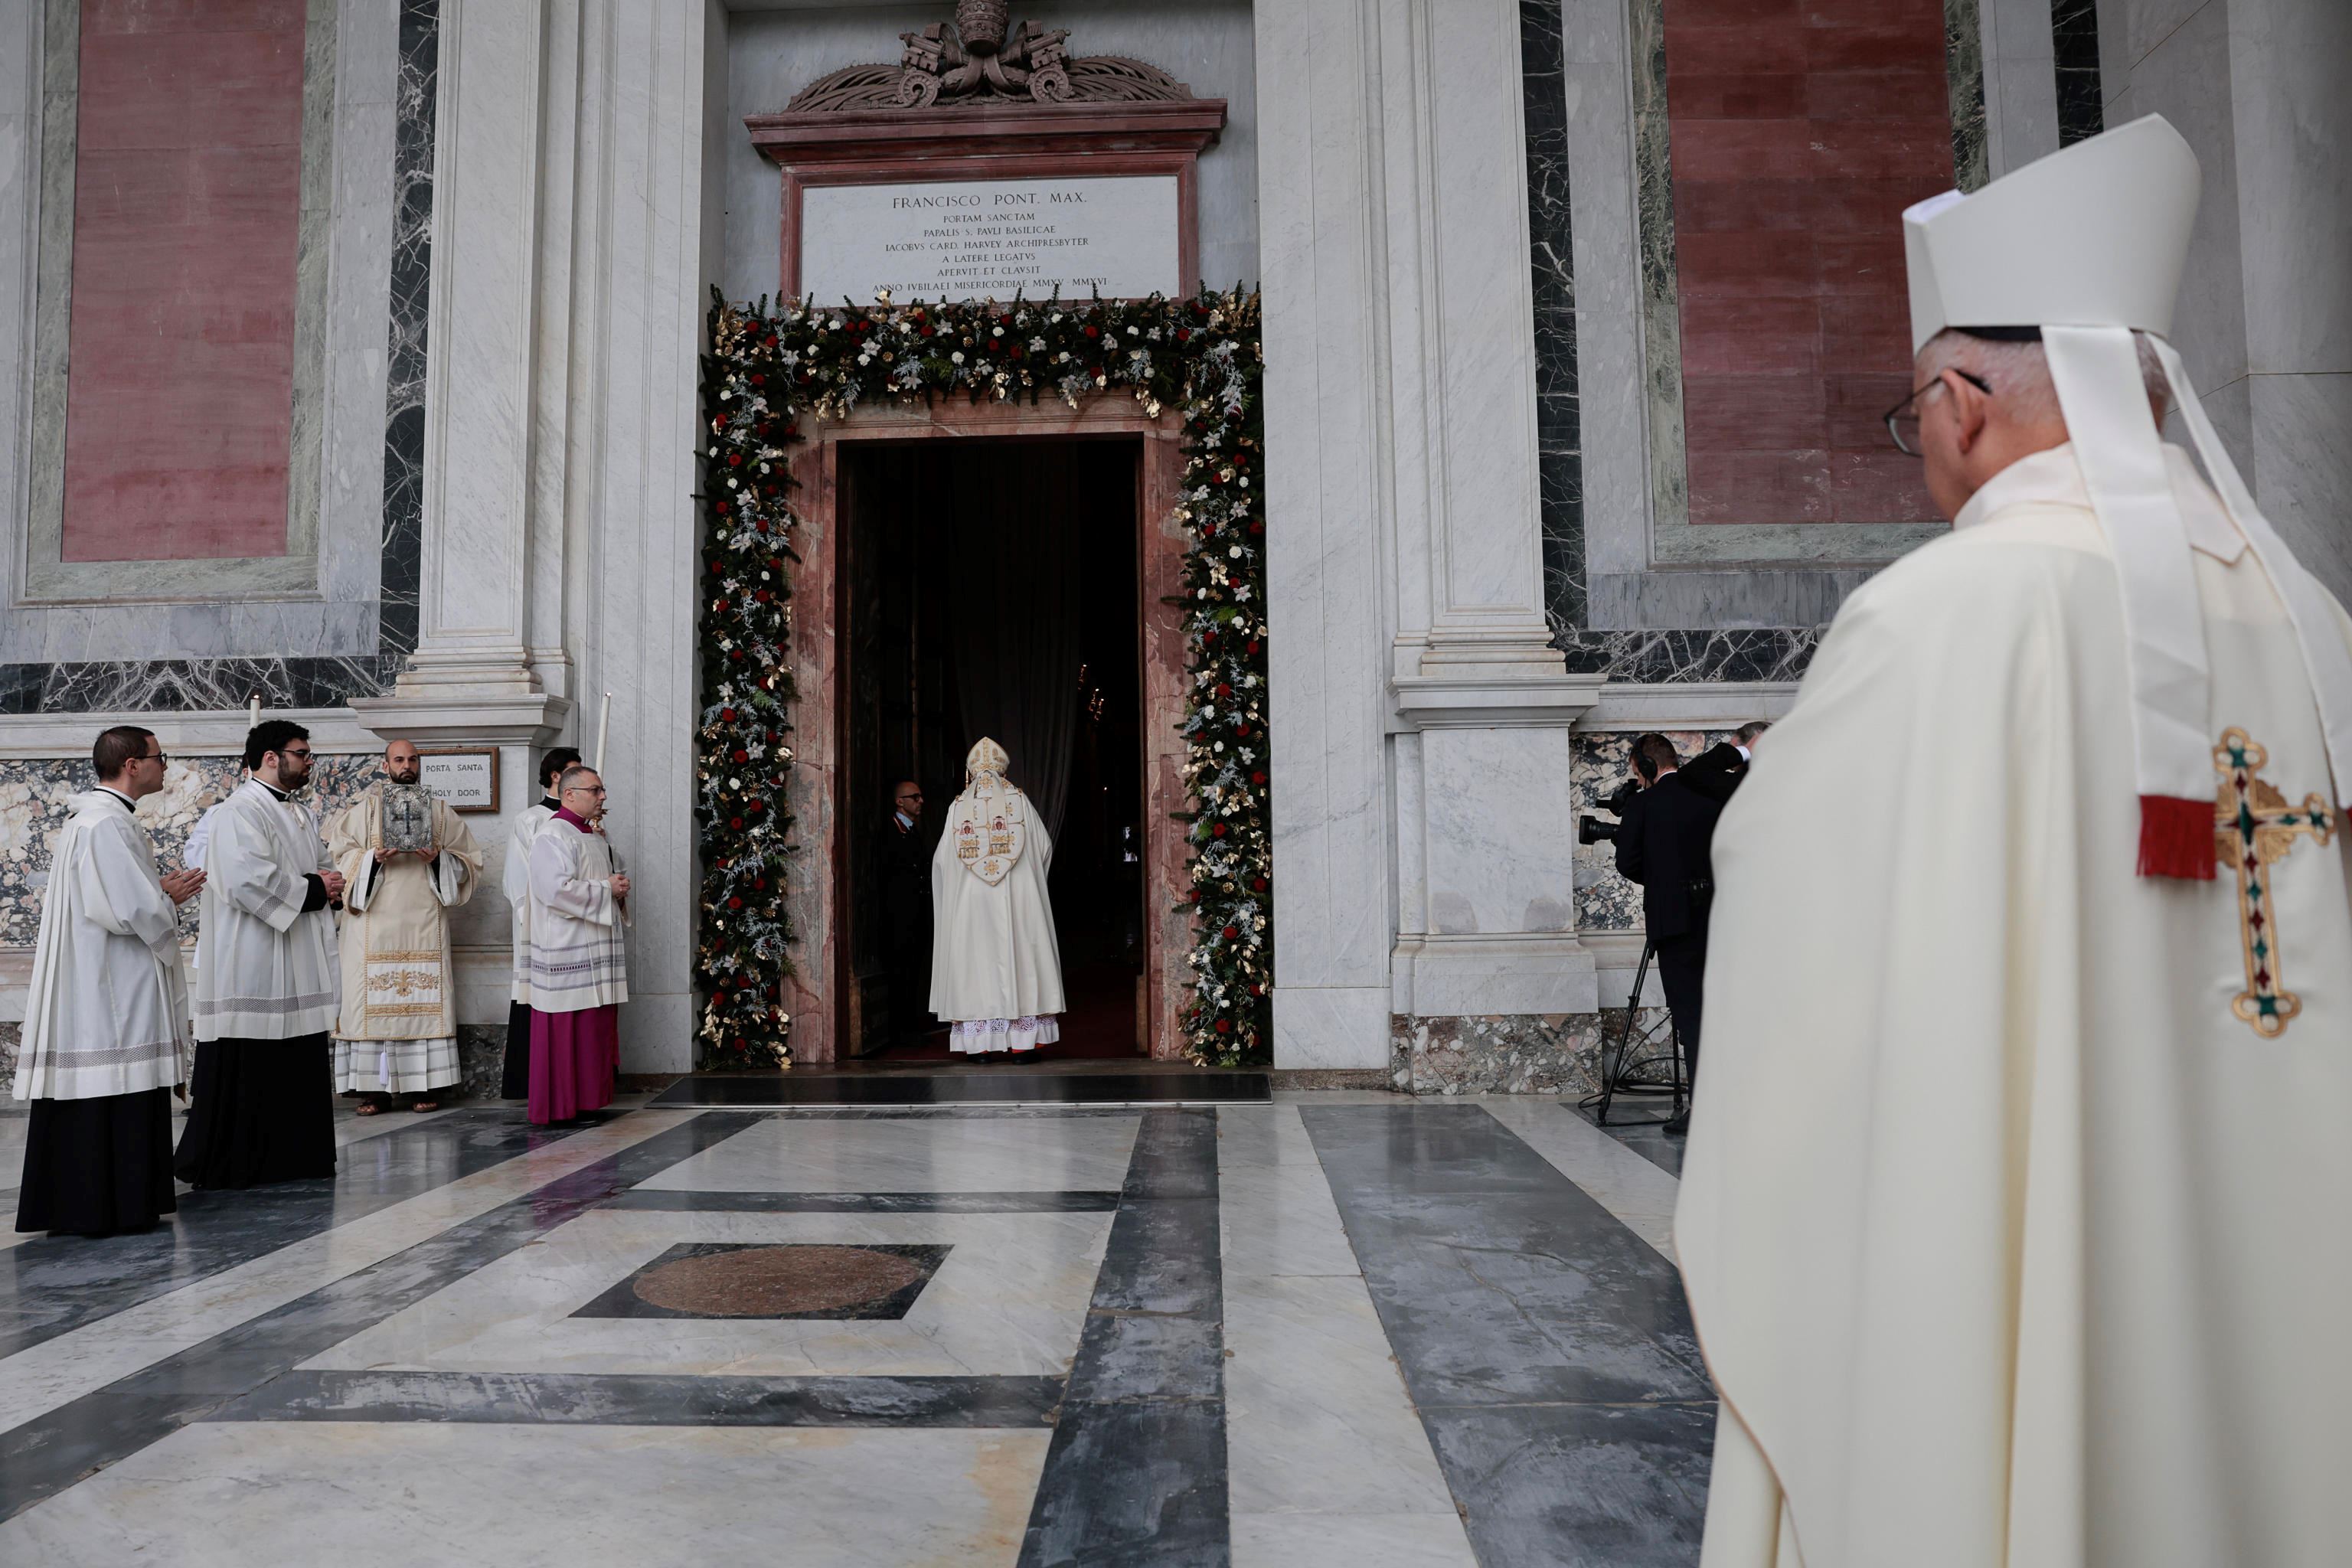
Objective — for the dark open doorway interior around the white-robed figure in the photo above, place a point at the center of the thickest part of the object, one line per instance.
(991, 589)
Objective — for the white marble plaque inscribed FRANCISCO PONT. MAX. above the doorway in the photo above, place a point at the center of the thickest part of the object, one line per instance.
(989, 239)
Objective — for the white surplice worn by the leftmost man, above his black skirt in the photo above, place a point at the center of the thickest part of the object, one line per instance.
(109, 1003)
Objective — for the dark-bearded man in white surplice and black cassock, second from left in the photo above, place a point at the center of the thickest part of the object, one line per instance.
(267, 989)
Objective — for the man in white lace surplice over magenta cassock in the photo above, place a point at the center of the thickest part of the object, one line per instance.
(580, 960)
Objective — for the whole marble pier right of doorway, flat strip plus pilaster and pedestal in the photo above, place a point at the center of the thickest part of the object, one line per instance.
(1403, 474)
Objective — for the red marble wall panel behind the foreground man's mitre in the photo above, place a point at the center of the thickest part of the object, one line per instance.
(1800, 130)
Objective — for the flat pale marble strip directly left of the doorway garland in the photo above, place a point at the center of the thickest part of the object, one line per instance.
(639, 323)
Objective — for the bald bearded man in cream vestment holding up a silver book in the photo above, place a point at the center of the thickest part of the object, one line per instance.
(408, 859)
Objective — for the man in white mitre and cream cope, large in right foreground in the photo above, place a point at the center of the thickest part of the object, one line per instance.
(2014, 1205)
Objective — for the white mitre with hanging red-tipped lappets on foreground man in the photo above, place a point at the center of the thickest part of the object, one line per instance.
(2090, 246)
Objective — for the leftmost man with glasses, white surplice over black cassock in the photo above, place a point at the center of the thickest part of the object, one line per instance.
(107, 1028)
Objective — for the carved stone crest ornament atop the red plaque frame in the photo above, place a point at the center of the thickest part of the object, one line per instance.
(977, 60)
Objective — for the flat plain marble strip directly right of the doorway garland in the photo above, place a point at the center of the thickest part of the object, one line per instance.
(1325, 530)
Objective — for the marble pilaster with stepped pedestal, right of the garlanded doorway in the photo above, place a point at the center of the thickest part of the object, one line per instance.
(1481, 699)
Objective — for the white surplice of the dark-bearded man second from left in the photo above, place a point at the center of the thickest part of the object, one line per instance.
(265, 970)
